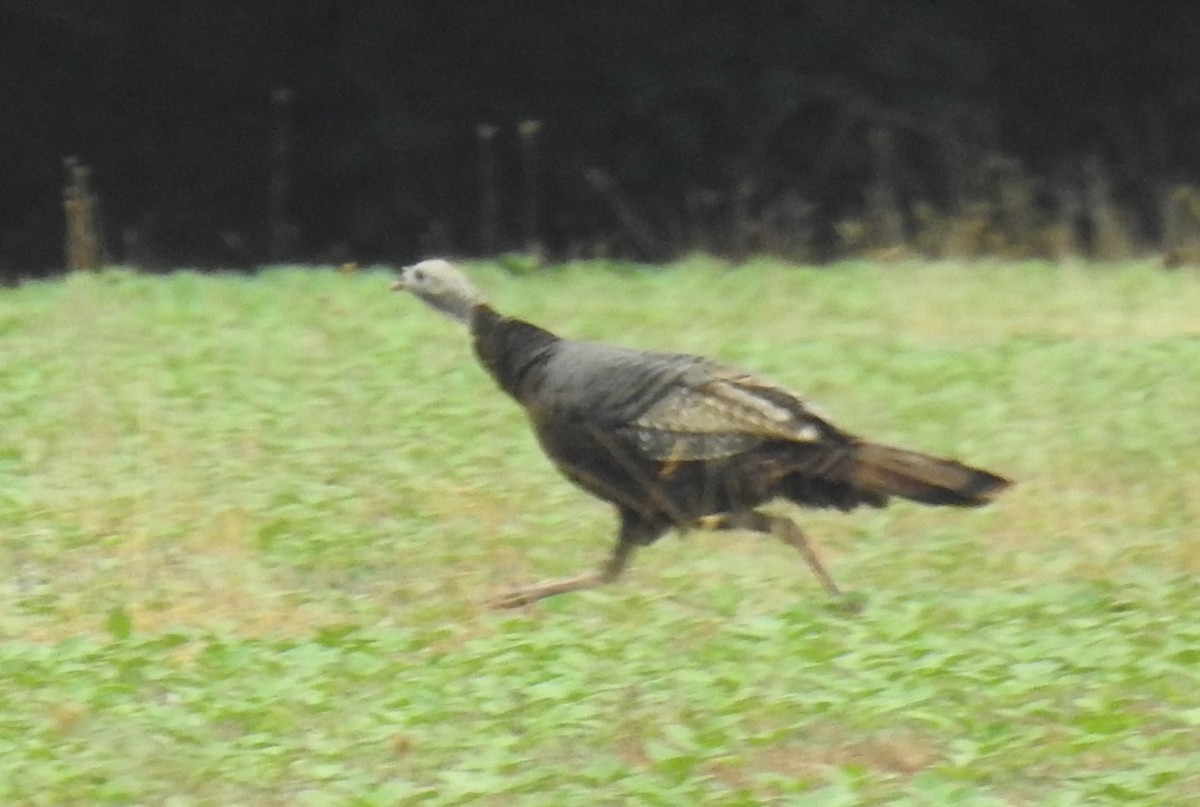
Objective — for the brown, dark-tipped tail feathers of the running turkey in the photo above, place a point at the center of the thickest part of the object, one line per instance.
(923, 479)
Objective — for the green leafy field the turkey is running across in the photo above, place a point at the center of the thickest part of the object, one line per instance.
(248, 525)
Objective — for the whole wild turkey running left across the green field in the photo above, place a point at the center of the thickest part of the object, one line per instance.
(681, 441)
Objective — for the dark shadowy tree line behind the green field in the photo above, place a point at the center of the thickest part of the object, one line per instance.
(229, 134)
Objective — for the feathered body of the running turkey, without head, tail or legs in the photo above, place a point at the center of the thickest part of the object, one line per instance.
(616, 422)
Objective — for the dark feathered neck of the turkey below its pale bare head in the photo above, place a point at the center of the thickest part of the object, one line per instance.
(513, 351)
